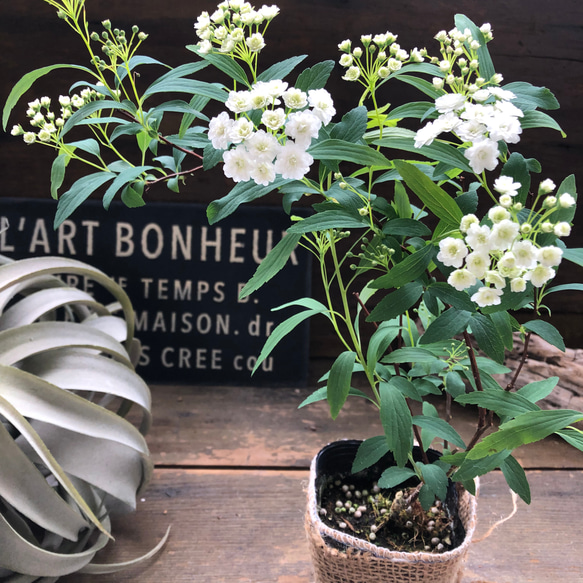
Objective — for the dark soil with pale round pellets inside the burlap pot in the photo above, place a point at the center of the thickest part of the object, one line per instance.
(391, 518)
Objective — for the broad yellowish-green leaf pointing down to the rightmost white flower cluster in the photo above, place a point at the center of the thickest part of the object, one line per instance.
(439, 202)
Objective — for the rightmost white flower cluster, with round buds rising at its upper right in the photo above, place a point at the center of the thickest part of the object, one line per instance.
(501, 251)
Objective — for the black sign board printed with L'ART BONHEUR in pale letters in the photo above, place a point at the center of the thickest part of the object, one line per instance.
(183, 277)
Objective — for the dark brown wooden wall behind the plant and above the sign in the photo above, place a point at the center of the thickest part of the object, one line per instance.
(534, 40)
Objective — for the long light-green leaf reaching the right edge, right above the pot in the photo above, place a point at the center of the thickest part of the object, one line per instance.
(526, 428)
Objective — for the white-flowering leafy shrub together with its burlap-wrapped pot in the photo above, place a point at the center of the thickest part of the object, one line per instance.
(433, 242)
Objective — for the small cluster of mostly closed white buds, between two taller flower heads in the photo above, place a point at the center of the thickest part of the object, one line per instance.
(390, 57)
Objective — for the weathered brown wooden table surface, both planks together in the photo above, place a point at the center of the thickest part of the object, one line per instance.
(231, 467)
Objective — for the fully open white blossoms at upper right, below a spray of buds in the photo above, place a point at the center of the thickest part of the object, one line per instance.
(482, 118)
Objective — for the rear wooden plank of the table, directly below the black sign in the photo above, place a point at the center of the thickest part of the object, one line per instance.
(252, 427)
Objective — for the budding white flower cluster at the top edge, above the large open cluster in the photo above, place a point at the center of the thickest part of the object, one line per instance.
(234, 25)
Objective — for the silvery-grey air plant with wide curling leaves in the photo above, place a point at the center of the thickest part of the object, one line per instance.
(69, 456)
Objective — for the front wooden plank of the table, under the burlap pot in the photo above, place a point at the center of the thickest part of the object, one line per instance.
(244, 526)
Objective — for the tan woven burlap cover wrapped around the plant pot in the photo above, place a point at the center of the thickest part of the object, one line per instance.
(360, 561)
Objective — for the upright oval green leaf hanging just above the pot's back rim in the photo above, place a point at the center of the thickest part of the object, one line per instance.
(396, 421)
